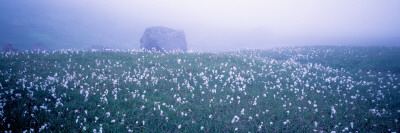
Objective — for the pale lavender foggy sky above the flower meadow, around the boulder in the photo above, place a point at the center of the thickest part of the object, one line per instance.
(208, 24)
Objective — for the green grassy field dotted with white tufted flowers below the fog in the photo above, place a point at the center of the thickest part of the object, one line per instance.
(295, 89)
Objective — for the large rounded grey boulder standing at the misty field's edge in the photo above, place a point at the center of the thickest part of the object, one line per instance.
(163, 39)
